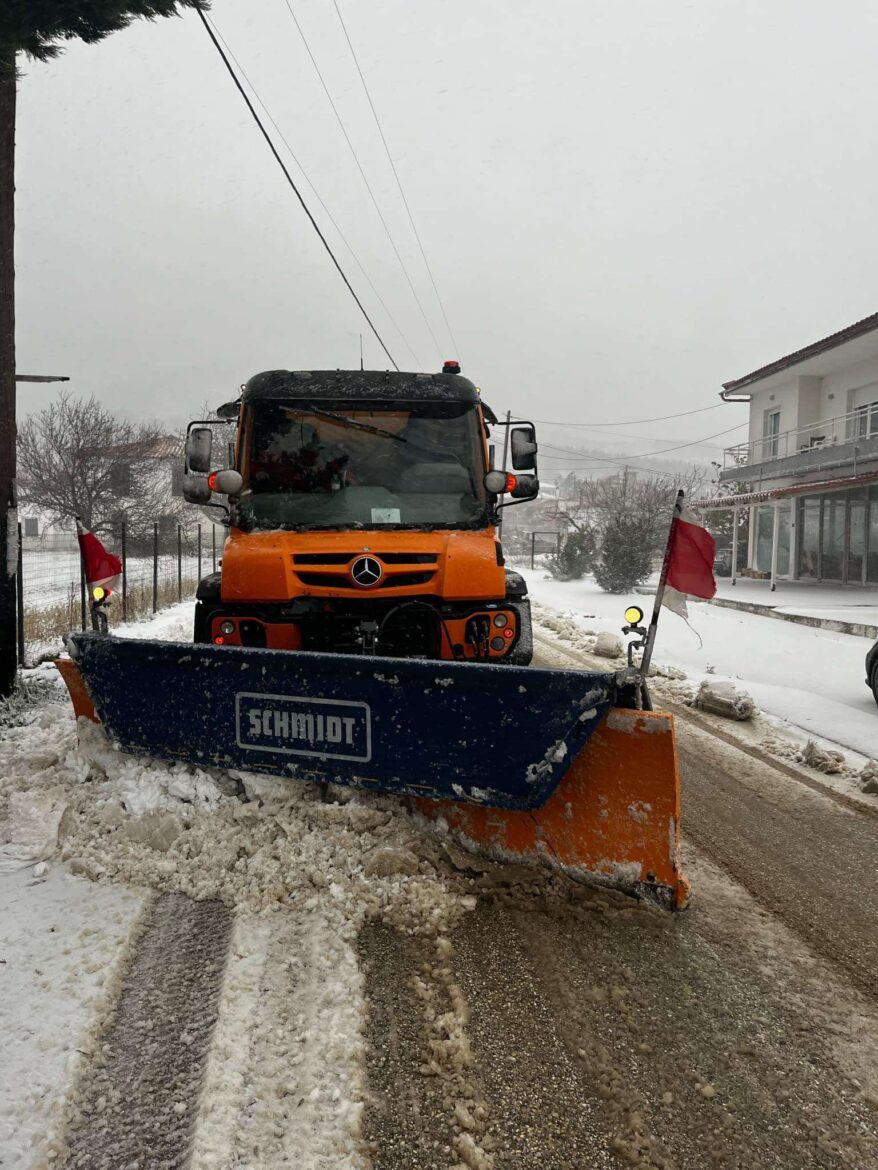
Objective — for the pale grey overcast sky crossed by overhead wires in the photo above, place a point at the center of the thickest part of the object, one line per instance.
(625, 204)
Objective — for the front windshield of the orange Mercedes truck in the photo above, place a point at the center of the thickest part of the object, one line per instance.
(363, 465)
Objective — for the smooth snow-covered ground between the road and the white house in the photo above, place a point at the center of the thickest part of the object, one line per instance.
(814, 679)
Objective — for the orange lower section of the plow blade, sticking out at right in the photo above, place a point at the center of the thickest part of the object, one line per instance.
(614, 820)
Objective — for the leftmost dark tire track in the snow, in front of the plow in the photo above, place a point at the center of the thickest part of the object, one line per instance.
(136, 1104)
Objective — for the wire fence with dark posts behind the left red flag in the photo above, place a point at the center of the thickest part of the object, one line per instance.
(159, 570)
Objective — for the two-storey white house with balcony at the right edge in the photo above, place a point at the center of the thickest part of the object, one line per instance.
(810, 470)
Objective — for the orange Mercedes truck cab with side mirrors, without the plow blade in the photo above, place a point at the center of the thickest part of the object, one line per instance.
(363, 512)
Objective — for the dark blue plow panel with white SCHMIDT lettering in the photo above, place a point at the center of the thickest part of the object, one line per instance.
(493, 735)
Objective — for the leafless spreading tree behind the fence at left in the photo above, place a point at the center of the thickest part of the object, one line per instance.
(79, 459)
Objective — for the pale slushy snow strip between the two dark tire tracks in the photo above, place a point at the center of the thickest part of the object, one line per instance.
(283, 1084)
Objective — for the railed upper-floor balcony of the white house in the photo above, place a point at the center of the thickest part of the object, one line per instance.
(845, 443)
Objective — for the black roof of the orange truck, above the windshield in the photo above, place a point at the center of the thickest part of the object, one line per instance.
(359, 384)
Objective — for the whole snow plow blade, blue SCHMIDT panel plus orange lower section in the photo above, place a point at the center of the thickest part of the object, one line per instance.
(554, 776)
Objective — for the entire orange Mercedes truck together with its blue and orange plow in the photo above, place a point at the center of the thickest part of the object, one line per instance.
(363, 629)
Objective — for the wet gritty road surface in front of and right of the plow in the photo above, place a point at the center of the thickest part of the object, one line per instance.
(555, 1027)
